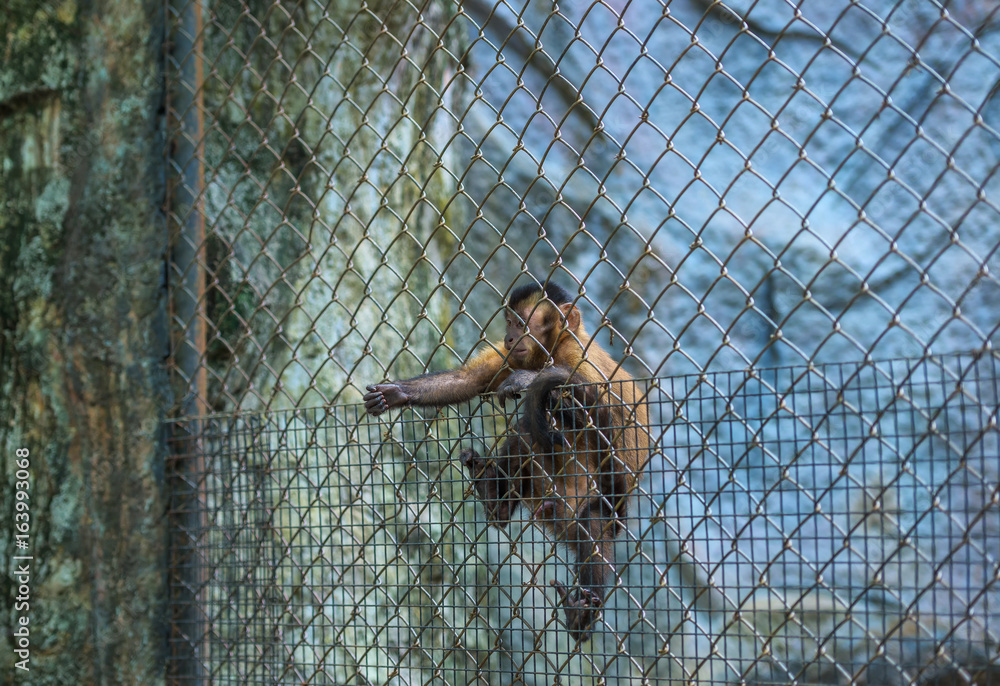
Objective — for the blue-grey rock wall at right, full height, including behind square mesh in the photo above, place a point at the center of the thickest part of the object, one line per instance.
(774, 184)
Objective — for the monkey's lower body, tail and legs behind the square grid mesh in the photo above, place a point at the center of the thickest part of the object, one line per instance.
(576, 479)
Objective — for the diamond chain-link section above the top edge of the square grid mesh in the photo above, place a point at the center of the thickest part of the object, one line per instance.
(724, 184)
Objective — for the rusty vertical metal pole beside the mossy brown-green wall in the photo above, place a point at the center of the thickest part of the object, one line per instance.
(189, 631)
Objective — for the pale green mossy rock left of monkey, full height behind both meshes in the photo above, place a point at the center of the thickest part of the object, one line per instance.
(329, 211)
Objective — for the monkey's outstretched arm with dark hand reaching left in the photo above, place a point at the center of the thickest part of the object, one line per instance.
(479, 375)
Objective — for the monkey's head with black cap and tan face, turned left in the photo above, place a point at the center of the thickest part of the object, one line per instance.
(537, 318)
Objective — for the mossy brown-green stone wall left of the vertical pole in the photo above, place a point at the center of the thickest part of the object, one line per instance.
(83, 337)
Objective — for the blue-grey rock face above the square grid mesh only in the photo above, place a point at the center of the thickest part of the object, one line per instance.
(770, 185)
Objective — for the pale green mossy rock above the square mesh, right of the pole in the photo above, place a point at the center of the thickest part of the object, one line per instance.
(327, 200)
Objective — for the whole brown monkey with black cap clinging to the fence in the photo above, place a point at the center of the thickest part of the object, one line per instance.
(586, 466)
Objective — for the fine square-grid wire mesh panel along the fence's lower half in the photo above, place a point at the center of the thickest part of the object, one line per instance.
(824, 524)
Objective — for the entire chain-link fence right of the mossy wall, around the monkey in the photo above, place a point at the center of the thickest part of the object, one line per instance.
(780, 216)
